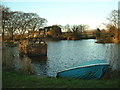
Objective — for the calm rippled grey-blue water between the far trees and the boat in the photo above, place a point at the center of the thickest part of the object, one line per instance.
(65, 54)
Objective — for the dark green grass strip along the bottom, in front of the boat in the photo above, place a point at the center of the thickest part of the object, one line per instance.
(12, 79)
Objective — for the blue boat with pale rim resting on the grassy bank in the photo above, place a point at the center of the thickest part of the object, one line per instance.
(93, 69)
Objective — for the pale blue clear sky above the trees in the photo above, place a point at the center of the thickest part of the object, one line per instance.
(62, 12)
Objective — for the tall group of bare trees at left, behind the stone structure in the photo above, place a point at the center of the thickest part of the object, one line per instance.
(18, 22)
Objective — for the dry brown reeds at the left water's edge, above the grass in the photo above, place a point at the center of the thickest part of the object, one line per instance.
(11, 60)
